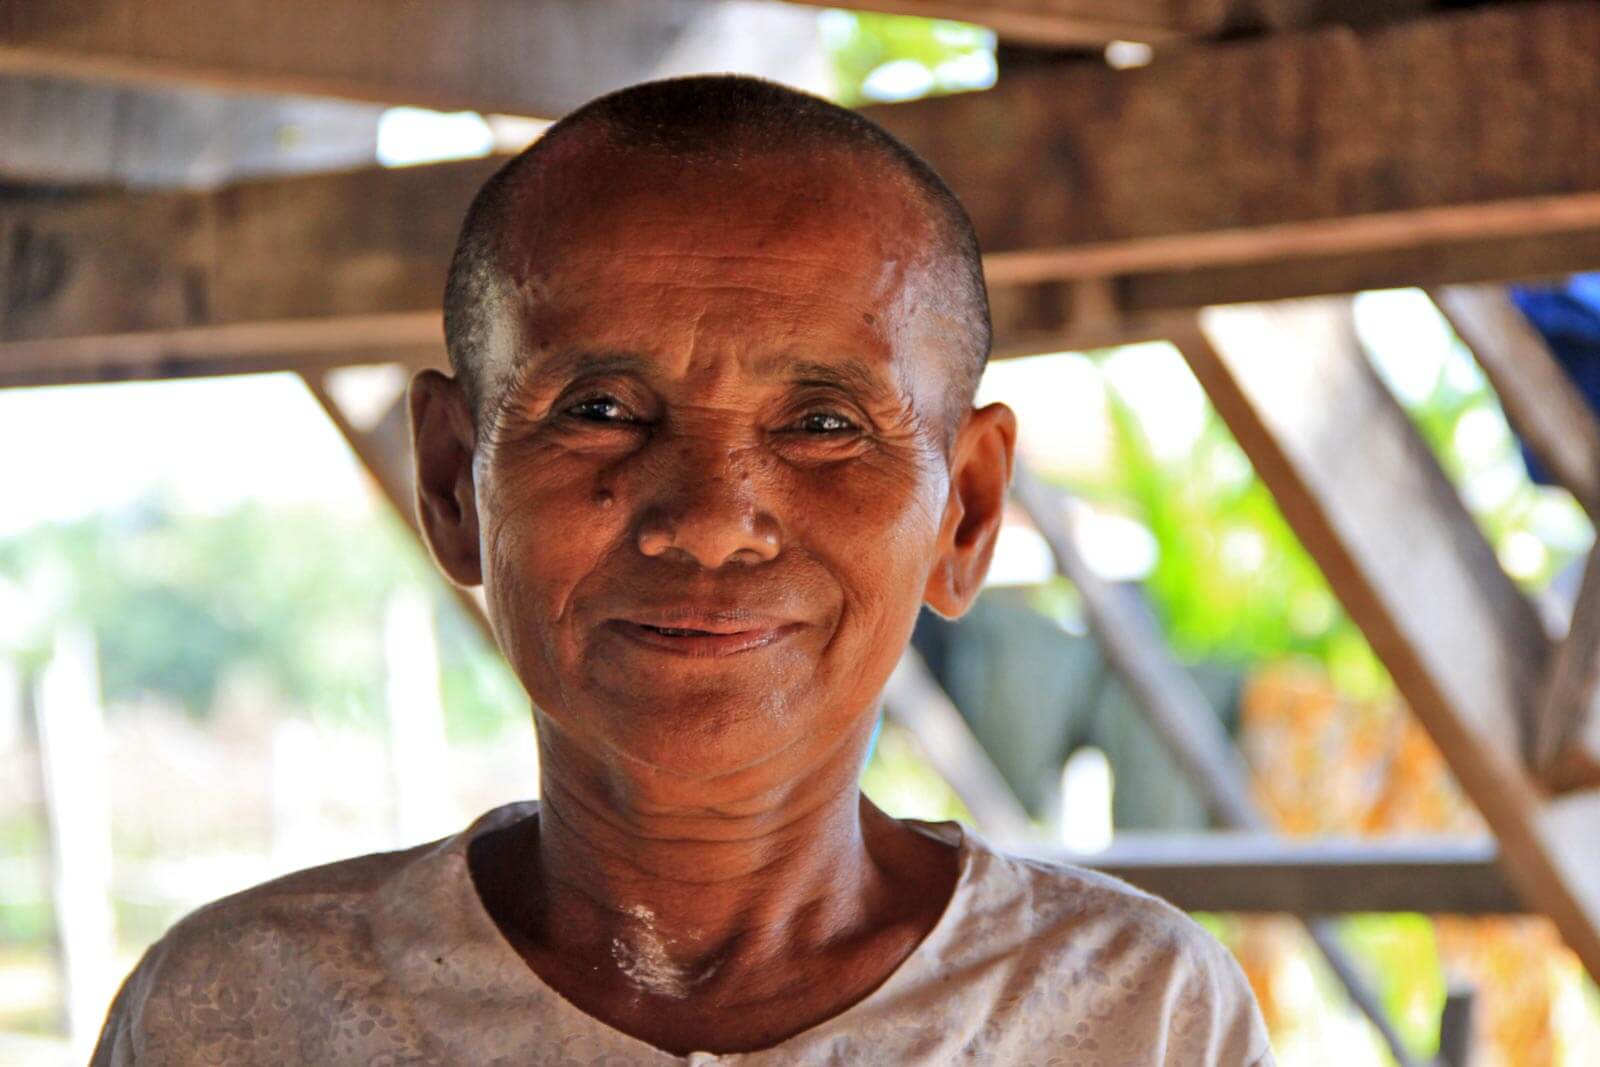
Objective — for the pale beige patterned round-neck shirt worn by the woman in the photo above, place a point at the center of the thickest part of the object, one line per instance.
(391, 959)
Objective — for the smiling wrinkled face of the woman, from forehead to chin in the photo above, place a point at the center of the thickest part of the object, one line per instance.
(714, 489)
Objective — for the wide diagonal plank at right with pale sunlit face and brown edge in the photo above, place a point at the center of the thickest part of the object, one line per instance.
(1369, 502)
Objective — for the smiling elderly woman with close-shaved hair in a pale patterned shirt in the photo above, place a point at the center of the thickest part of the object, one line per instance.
(710, 447)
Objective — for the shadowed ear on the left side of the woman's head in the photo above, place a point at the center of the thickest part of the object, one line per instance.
(442, 444)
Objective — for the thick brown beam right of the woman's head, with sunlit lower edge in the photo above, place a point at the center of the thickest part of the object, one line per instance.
(1324, 140)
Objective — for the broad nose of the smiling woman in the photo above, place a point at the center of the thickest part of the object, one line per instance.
(708, 511)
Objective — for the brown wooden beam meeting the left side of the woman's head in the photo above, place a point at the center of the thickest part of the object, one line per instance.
(324, 247)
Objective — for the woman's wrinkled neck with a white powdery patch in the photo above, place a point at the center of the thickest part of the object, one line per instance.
(678, 882)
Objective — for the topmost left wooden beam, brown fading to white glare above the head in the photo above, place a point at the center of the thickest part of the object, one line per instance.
(511, 57)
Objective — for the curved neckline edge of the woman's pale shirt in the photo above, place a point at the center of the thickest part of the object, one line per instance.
(508, 959)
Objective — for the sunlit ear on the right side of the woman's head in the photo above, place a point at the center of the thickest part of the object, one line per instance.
(980, 479)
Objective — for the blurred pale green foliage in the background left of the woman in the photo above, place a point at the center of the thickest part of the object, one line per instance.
(295, 599)
